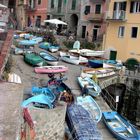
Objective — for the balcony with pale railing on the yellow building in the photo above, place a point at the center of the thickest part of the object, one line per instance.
(118, 15)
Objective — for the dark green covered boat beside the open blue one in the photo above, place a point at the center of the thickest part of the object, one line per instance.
(34, 59)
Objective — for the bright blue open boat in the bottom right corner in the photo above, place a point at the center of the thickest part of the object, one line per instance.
(119, 126)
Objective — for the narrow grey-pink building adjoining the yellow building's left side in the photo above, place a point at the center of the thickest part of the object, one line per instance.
(92, 23)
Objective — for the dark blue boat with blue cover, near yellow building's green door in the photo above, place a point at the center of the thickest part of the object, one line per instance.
(99, 63)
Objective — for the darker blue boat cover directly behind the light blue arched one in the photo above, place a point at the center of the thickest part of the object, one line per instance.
(44, 90)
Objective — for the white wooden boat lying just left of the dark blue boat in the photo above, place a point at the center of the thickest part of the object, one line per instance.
(74, 59)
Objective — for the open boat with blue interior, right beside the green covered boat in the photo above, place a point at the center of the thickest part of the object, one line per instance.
(50, 59)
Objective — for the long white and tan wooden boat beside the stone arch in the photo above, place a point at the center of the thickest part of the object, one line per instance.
(99, 72)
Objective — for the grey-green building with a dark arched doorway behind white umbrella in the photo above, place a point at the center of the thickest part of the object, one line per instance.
(65, 10)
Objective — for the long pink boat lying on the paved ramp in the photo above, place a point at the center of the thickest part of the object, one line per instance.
(51, 69)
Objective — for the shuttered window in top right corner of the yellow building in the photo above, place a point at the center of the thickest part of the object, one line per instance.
(135, 7)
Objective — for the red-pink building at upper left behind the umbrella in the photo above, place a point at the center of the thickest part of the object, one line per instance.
(31, 13)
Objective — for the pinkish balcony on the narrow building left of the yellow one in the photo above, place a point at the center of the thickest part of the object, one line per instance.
(95, 17)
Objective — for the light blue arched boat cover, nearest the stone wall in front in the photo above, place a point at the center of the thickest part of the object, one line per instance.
(38, 99)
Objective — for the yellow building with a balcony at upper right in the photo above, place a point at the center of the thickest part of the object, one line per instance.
(122, 33)
